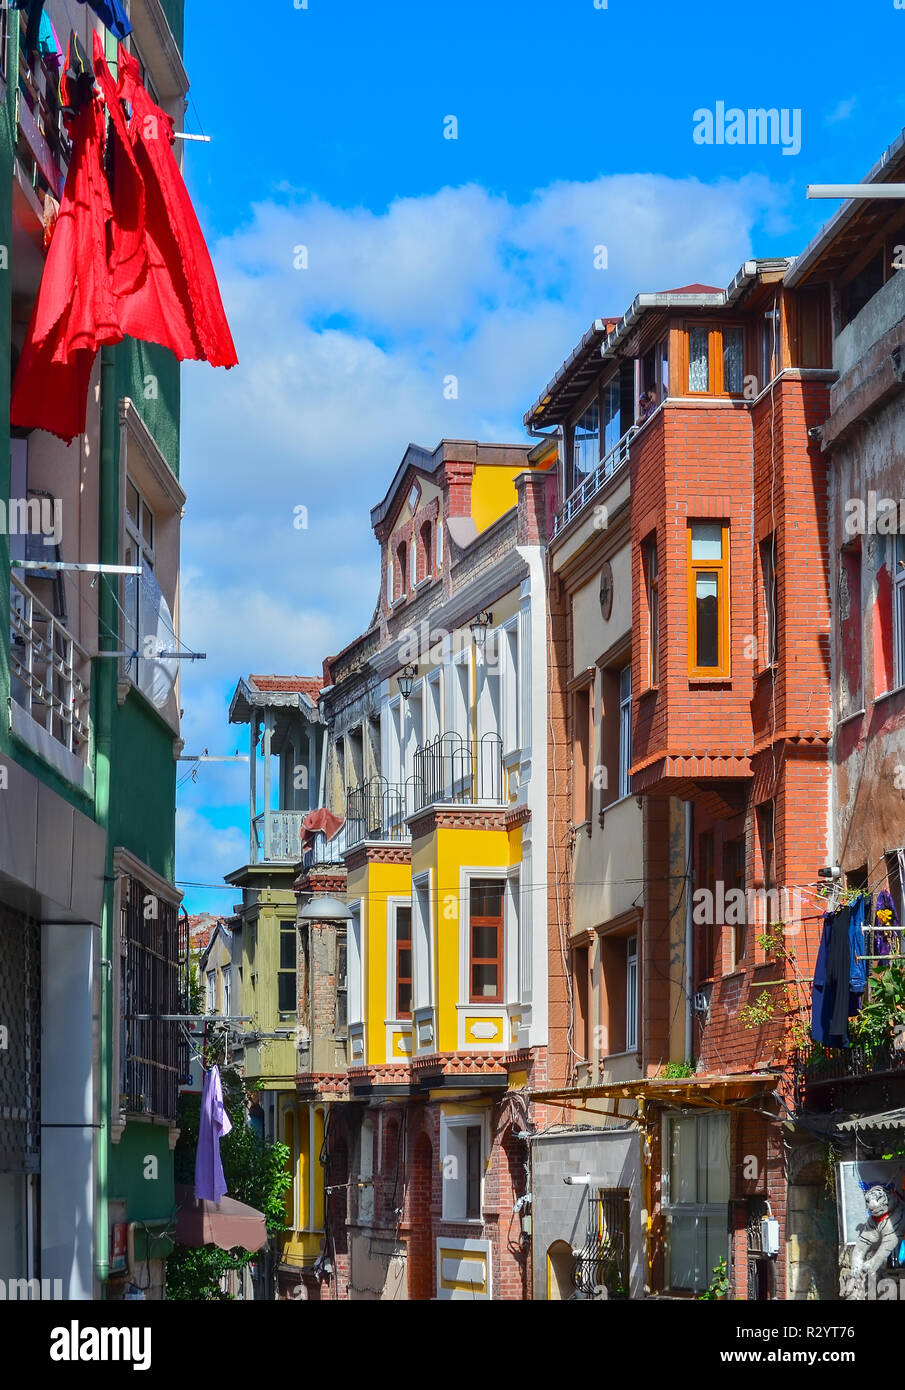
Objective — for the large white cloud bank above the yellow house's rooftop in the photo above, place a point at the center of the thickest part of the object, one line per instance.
(343, 365)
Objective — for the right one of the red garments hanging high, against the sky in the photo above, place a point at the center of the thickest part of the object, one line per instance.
(179, 305)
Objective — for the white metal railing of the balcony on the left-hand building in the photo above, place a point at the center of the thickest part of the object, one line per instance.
(51, 672)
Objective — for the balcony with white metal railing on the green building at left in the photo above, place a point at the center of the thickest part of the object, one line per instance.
(49, 686)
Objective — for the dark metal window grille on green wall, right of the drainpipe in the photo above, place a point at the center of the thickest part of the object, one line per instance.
(151, 986)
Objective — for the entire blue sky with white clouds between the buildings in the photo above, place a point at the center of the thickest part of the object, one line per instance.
(429, 256)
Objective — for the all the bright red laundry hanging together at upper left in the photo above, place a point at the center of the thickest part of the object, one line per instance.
(134, 262)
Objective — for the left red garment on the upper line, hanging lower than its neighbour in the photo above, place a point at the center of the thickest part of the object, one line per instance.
(76, 309)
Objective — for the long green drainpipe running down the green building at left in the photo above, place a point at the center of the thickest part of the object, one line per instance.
(105, 686)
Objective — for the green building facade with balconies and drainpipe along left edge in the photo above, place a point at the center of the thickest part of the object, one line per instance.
(90, 913)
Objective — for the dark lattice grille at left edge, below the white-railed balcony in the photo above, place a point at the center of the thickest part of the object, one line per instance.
(20, 1060)
